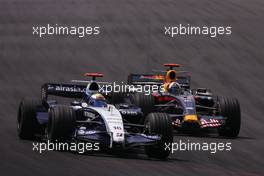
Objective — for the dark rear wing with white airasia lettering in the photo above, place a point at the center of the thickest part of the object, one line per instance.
(63, 90)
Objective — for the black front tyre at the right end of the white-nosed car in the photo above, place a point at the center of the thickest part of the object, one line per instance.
(161, 124)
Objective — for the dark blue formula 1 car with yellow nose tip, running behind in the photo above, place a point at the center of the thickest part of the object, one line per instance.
(189, 109)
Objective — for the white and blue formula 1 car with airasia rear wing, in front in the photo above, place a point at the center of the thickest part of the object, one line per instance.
(92, 119)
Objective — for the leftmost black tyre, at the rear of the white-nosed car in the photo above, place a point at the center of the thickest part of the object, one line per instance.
(27, 124)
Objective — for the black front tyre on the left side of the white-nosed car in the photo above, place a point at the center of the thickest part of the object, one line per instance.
(61, 123)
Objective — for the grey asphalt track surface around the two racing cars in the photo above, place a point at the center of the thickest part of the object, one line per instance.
(132, 40)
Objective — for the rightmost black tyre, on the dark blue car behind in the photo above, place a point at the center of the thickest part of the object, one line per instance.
(230, 108)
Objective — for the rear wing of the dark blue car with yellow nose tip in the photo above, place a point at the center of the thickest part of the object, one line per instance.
(152, 79)
